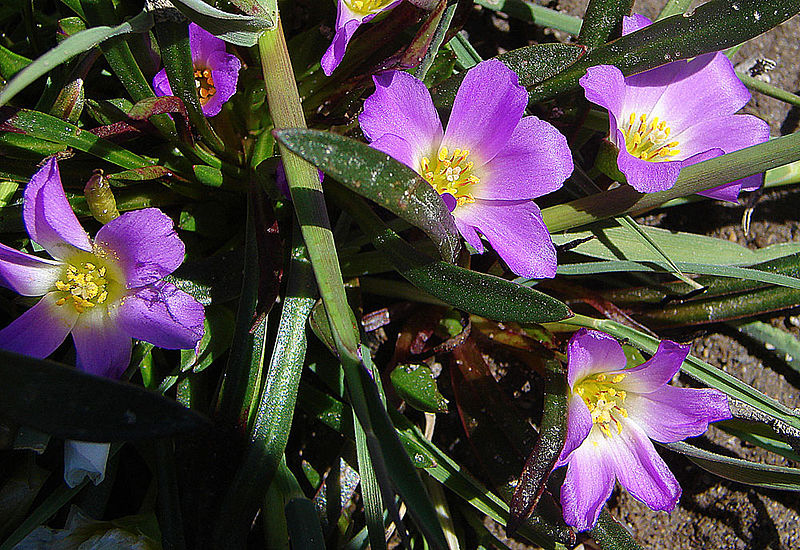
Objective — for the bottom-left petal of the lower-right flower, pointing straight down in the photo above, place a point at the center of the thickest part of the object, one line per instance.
(587, 485)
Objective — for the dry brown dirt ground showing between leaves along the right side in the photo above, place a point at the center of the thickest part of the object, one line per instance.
(715, 513)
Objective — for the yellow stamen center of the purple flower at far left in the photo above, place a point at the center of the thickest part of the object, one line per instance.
(86, 282)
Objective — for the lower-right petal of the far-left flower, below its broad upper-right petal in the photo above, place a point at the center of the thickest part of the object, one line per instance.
(162, 315)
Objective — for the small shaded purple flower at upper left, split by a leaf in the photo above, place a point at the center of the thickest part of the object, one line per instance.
(215, 71)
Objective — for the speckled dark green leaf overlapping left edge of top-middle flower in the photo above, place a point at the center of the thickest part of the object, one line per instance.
(380, 178)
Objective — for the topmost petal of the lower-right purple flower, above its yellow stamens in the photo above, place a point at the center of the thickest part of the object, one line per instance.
(592, 352)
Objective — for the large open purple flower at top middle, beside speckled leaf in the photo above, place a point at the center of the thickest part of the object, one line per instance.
(489, 164)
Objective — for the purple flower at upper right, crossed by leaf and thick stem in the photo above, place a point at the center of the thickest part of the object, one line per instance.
(675, 115)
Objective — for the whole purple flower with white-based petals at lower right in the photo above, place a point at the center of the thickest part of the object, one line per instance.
(612, 414)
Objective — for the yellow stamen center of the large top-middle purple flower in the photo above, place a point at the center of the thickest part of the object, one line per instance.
(451, 174)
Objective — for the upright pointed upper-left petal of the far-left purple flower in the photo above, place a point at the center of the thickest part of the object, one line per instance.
(48, 216)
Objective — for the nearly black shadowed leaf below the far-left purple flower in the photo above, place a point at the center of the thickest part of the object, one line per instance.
(98, 409)
